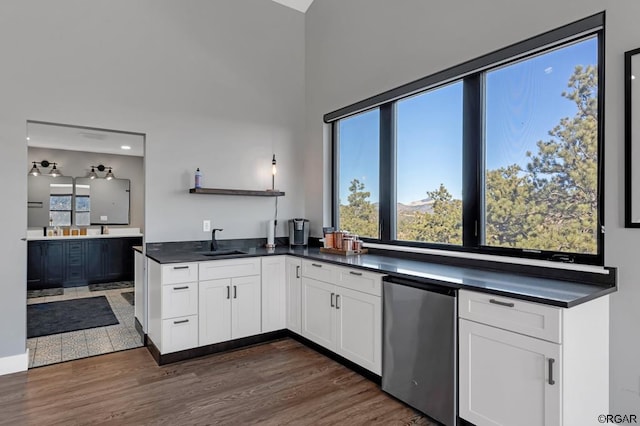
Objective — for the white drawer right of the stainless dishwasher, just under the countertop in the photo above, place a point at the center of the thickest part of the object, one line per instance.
(531, 319)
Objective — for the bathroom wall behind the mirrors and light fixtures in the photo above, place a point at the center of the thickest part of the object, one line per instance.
(76, 164)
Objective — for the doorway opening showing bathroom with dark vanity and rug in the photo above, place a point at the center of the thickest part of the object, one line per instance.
(85, 218)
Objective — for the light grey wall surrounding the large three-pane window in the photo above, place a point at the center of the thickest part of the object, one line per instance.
(359, 48)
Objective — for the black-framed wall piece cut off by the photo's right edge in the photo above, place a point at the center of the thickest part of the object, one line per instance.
(632, 138)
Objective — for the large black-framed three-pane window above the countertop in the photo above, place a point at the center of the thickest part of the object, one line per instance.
(500, 155)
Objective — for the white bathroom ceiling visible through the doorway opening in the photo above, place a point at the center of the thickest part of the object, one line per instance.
(72, 138)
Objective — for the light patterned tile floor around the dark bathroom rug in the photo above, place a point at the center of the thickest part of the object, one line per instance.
(84, 343)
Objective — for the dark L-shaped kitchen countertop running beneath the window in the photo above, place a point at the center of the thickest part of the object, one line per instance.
(556, 292)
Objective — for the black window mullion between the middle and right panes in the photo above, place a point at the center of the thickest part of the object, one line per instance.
(472, 161)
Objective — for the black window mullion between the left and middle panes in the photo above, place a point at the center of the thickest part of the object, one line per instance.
(387, 173)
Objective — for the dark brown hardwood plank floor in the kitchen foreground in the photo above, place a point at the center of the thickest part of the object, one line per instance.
(281, 382)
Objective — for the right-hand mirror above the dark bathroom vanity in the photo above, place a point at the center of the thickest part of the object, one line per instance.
(101, 201)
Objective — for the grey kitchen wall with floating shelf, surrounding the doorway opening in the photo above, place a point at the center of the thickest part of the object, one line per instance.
(213, 84)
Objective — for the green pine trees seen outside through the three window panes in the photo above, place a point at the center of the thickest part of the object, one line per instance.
(550, 205)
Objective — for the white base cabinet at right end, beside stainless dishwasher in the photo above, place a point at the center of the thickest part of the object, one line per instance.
(531, 364)
